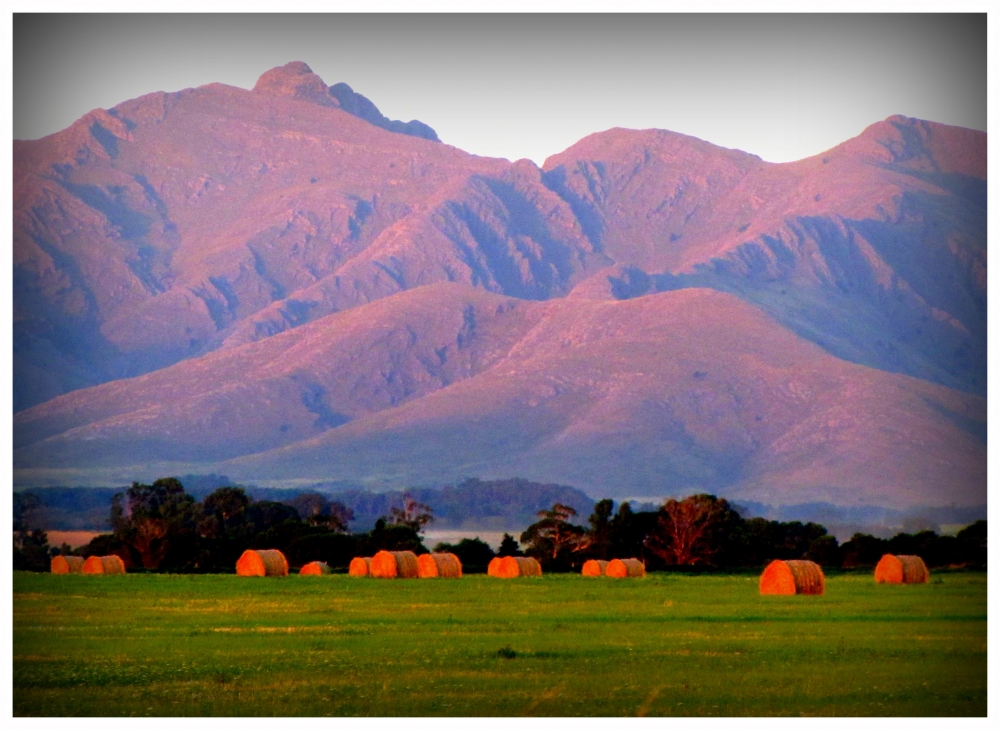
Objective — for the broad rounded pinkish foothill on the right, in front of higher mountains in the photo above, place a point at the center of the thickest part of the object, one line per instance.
(677, 391)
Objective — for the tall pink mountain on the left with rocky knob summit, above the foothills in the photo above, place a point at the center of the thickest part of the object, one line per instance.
(177, 223)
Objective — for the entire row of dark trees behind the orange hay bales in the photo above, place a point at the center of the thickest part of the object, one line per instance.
(159, 527)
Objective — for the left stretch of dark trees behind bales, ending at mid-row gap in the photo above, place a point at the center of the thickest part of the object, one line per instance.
(159, 527)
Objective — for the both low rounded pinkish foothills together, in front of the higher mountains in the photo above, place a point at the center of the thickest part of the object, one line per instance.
(690, 389)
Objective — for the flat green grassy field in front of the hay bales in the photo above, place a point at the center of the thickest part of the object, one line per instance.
(558, 645)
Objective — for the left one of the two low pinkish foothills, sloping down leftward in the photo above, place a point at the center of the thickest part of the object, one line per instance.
(282, 389)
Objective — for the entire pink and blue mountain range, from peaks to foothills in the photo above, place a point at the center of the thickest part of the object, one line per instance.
(307, 289)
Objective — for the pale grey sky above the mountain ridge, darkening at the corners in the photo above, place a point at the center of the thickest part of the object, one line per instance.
(782, 87)
